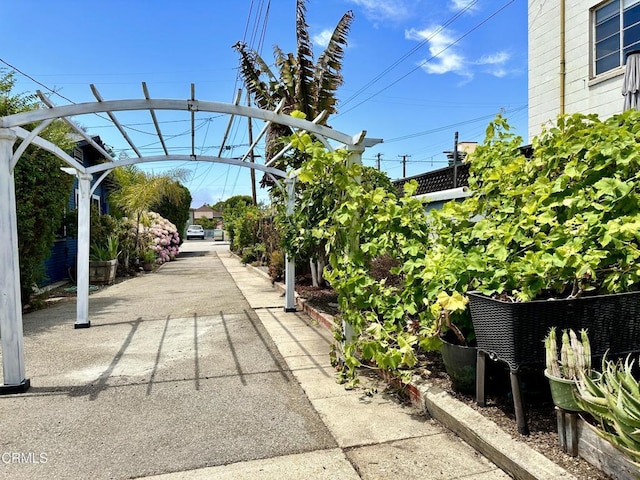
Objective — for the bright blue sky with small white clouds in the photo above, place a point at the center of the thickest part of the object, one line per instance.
(415, 71)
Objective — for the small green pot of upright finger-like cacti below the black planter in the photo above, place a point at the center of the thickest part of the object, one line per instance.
(566, 366)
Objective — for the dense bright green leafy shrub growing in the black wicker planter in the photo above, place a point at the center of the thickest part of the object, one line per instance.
(560, 224)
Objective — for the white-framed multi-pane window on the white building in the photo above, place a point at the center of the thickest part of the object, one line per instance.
(616, 33)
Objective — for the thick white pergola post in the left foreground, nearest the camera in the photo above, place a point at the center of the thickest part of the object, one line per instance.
(10, 298)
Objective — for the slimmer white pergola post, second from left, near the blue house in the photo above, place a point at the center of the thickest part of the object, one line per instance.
(82, 259)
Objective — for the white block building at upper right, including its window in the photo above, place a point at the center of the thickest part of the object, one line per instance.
(577, 51)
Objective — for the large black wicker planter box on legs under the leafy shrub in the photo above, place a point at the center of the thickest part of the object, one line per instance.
(514, 332)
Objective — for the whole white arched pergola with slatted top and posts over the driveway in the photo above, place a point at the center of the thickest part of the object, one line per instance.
(12, 128)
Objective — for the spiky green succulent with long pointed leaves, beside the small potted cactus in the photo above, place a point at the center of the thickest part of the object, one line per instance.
(614, 402)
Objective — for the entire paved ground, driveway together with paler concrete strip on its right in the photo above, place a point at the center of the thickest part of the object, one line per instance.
(195, 371)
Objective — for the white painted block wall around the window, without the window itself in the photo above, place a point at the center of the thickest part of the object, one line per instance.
(583, 92)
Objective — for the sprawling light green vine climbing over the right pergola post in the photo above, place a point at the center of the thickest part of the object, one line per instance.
(362, 225)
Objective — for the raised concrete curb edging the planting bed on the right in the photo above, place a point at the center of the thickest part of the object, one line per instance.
(514, 457)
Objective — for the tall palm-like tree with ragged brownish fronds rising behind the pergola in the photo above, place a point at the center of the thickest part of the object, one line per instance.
(304, 85)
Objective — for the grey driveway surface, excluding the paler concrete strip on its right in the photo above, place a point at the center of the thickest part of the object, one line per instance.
(175, 373)
